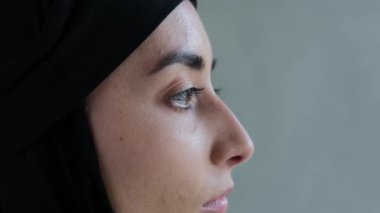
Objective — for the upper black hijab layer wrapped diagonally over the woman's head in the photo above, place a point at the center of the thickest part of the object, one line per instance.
(69, 48)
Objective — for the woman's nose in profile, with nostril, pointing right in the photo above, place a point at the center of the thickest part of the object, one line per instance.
(232, 145)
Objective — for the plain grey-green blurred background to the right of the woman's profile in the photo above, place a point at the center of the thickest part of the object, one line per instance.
(303, 77)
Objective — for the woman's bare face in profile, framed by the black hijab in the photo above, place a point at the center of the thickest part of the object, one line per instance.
(165, 141)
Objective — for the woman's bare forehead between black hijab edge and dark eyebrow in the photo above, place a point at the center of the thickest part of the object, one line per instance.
(182, 30)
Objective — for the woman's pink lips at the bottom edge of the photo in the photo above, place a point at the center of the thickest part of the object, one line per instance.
(218, 204)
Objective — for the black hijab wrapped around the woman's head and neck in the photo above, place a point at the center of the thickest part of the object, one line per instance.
(53, 53)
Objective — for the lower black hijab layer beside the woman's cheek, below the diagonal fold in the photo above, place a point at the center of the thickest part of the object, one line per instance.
(57, 173)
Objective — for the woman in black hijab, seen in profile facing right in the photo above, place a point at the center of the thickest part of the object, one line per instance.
(148, 136)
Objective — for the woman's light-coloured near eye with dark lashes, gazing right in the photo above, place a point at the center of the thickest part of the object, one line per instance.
(184, 100)
